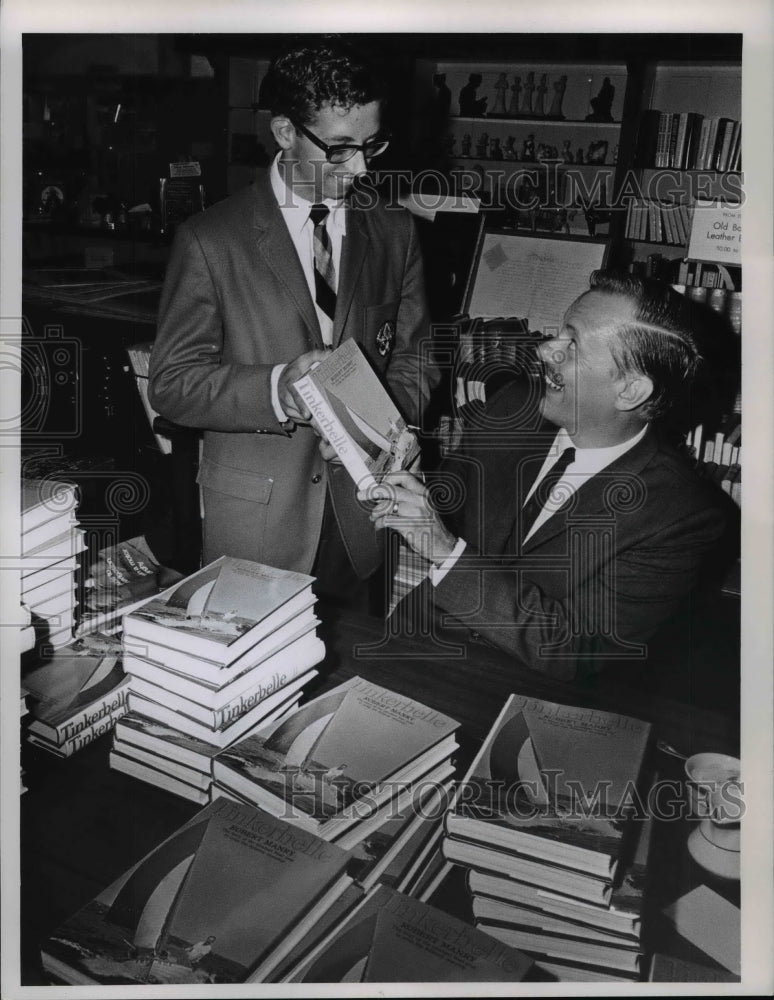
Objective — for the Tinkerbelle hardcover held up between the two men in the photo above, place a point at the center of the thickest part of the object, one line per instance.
(354, 412)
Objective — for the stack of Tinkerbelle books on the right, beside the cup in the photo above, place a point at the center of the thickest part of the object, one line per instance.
(544, 822)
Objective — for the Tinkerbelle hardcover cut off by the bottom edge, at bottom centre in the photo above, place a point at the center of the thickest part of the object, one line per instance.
(393, 938)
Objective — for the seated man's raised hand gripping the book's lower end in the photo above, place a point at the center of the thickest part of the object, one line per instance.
(402, 502)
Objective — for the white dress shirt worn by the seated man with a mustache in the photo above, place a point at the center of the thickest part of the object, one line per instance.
(587, 463)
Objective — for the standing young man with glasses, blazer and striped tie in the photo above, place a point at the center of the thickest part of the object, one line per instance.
(258, 288)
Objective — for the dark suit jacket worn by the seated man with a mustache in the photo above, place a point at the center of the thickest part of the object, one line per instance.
(601, 575)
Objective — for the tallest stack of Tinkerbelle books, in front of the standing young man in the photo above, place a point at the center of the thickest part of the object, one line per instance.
(226, 648)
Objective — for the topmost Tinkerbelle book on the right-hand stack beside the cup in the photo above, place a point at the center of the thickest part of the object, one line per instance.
(555, 783)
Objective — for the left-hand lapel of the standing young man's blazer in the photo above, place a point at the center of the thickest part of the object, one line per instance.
(276, 249)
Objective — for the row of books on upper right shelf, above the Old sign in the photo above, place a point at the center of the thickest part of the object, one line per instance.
(689, 141)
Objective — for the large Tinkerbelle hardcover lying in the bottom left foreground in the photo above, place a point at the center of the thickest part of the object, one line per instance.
(220, 901)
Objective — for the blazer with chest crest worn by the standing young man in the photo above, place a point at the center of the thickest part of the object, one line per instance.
(236, 303)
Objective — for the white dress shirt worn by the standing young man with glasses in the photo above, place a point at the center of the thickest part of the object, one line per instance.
(295, 211)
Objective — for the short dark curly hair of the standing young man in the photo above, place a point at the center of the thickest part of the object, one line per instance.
(317, 71)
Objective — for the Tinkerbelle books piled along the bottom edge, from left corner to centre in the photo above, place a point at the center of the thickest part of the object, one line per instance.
(235, 894)
